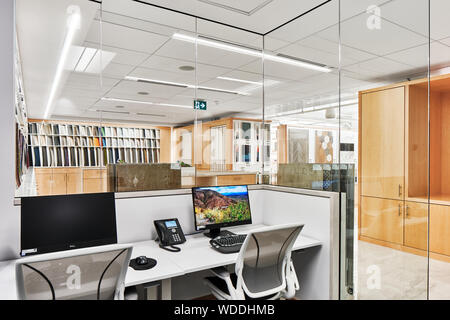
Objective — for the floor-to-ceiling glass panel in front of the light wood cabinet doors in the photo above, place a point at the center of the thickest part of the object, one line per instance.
(384, 64)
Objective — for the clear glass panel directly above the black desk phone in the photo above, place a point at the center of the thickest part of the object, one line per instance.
(154, 89)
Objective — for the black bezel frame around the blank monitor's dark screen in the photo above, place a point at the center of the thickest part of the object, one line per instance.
(69, 246)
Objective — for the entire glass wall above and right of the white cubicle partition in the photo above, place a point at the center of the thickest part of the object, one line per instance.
(288, 107)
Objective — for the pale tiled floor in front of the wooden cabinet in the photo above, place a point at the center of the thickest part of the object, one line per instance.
(384, 273)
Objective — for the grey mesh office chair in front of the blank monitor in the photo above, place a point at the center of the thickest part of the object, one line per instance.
(87, 274)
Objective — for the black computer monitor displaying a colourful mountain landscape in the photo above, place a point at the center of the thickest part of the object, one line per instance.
(217, 207)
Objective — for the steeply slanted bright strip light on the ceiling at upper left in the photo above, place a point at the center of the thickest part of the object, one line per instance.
(73, 24)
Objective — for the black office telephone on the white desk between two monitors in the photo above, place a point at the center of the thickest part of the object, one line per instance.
(169, 234)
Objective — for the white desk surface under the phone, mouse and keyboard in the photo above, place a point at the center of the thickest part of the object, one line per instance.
(196, 255)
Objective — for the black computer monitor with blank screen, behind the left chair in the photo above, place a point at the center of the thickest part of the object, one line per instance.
(55, 223)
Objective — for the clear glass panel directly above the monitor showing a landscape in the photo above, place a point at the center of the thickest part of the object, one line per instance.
(230, 128)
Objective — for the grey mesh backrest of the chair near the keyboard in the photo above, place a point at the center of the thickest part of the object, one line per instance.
(262, 261)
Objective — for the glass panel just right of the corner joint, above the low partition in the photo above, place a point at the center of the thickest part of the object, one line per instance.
(301, 72)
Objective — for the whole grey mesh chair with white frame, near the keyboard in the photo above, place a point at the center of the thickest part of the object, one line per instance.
(264, 269)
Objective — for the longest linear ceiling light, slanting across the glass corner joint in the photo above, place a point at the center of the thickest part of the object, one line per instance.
(250, 52)
